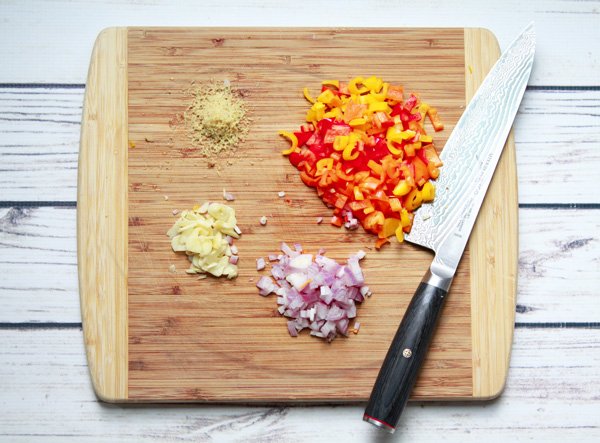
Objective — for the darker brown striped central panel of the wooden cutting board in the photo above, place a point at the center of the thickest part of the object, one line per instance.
(237, 347)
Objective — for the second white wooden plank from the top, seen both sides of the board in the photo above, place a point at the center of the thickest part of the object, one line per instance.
(40, 129)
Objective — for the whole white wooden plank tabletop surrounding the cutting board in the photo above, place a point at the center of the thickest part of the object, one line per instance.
(553, 389)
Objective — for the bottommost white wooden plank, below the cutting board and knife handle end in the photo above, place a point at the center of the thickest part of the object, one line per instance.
(47, 398)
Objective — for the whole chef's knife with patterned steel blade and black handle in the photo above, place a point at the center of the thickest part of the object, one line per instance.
(470, 157)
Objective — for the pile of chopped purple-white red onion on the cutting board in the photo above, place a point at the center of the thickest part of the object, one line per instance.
(318, 294)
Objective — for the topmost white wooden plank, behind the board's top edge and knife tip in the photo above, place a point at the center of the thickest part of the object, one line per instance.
(568, 28)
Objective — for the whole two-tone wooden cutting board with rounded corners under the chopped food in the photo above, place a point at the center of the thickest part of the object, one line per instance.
(154, 335)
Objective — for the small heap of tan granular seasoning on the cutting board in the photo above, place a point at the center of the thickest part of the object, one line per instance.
(216, 120)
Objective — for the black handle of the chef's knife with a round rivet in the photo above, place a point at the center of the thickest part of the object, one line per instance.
(405, 356)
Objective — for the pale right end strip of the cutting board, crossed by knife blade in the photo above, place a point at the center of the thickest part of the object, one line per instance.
(494, 257)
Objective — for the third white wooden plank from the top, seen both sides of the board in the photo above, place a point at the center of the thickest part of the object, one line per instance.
(552, 286)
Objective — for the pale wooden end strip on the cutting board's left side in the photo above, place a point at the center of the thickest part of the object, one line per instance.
(102, 216)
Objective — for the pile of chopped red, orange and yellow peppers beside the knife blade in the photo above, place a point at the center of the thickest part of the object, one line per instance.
(365, 150)
